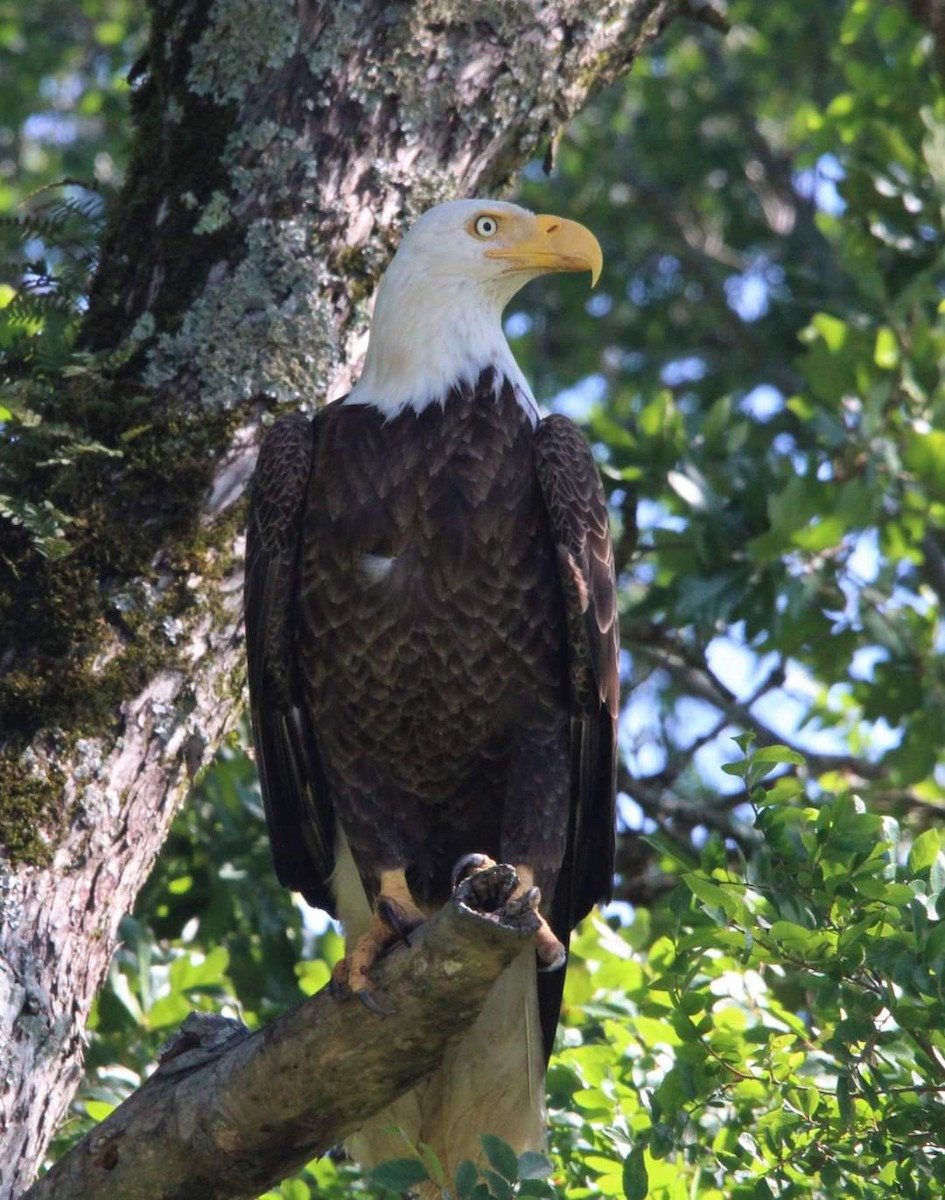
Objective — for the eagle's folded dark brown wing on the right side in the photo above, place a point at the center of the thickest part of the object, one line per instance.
(577, 514)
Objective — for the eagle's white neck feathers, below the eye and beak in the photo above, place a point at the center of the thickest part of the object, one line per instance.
(430, 335)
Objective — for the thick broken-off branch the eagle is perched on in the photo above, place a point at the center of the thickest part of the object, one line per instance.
(195, 1129)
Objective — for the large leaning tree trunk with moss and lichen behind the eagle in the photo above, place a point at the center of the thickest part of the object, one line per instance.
(281, 149)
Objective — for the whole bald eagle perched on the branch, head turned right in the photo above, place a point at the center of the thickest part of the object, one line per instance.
(431, 621)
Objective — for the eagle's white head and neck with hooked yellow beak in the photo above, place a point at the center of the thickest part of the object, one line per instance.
(438, 316)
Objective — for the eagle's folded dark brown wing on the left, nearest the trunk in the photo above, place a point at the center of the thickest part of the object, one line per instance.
(299, 811)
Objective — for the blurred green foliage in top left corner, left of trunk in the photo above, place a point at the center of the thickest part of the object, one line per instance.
(64, 136)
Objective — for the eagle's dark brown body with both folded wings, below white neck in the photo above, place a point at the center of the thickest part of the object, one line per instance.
(432, 633)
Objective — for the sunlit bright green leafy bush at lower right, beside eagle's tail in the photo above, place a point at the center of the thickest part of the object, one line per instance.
(775, 1031)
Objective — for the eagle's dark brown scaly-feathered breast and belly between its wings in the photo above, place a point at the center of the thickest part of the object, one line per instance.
(432, 639)
